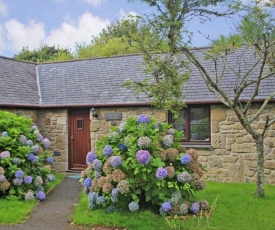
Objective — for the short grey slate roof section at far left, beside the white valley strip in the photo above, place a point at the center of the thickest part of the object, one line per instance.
(18, 83)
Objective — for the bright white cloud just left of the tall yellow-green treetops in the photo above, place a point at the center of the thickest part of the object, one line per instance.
(69, 33)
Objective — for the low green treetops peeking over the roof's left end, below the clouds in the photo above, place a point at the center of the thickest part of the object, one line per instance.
(44, 54)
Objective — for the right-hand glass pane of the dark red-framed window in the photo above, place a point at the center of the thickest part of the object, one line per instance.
(199, 124)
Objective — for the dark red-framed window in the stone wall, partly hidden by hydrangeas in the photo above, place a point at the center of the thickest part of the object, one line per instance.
(194, 121)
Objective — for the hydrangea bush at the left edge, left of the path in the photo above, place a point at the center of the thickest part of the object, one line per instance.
(25, 162)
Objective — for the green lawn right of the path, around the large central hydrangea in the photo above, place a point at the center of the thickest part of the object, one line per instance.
(233, 207)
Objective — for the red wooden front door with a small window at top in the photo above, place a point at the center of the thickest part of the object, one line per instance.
(79, 138)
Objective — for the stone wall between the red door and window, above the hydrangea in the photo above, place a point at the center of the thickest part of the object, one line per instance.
(100, 127)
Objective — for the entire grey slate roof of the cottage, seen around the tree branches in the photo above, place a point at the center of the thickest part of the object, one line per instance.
(99, 81)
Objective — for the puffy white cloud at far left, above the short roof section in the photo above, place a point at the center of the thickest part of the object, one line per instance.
(16, 35)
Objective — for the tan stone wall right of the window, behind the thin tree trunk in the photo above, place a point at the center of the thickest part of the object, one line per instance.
(232, 156)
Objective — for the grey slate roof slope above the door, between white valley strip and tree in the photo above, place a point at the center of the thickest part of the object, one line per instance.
(93, 81)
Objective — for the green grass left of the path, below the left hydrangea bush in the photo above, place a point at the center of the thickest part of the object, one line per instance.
(15, 211)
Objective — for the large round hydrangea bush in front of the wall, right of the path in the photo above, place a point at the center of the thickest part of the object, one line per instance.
(142, 162)
